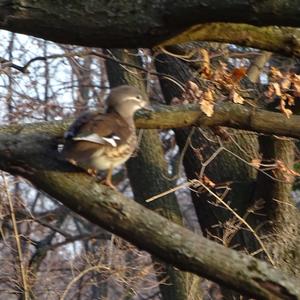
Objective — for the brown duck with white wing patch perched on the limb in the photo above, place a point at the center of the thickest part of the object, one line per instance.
(101, 141)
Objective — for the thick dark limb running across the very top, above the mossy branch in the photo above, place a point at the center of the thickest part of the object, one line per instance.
(143, 23)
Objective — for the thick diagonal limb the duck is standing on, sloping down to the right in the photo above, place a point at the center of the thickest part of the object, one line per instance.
(31, 153)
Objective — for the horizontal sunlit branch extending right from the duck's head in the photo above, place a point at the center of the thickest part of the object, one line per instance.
(226, 114)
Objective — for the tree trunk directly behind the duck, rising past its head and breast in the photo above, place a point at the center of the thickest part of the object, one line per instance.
(147, 174)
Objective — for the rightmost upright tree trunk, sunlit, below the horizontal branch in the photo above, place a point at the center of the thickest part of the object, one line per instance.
(281, 217)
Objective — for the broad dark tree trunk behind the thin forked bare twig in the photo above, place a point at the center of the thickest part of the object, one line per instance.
(224, 168)
